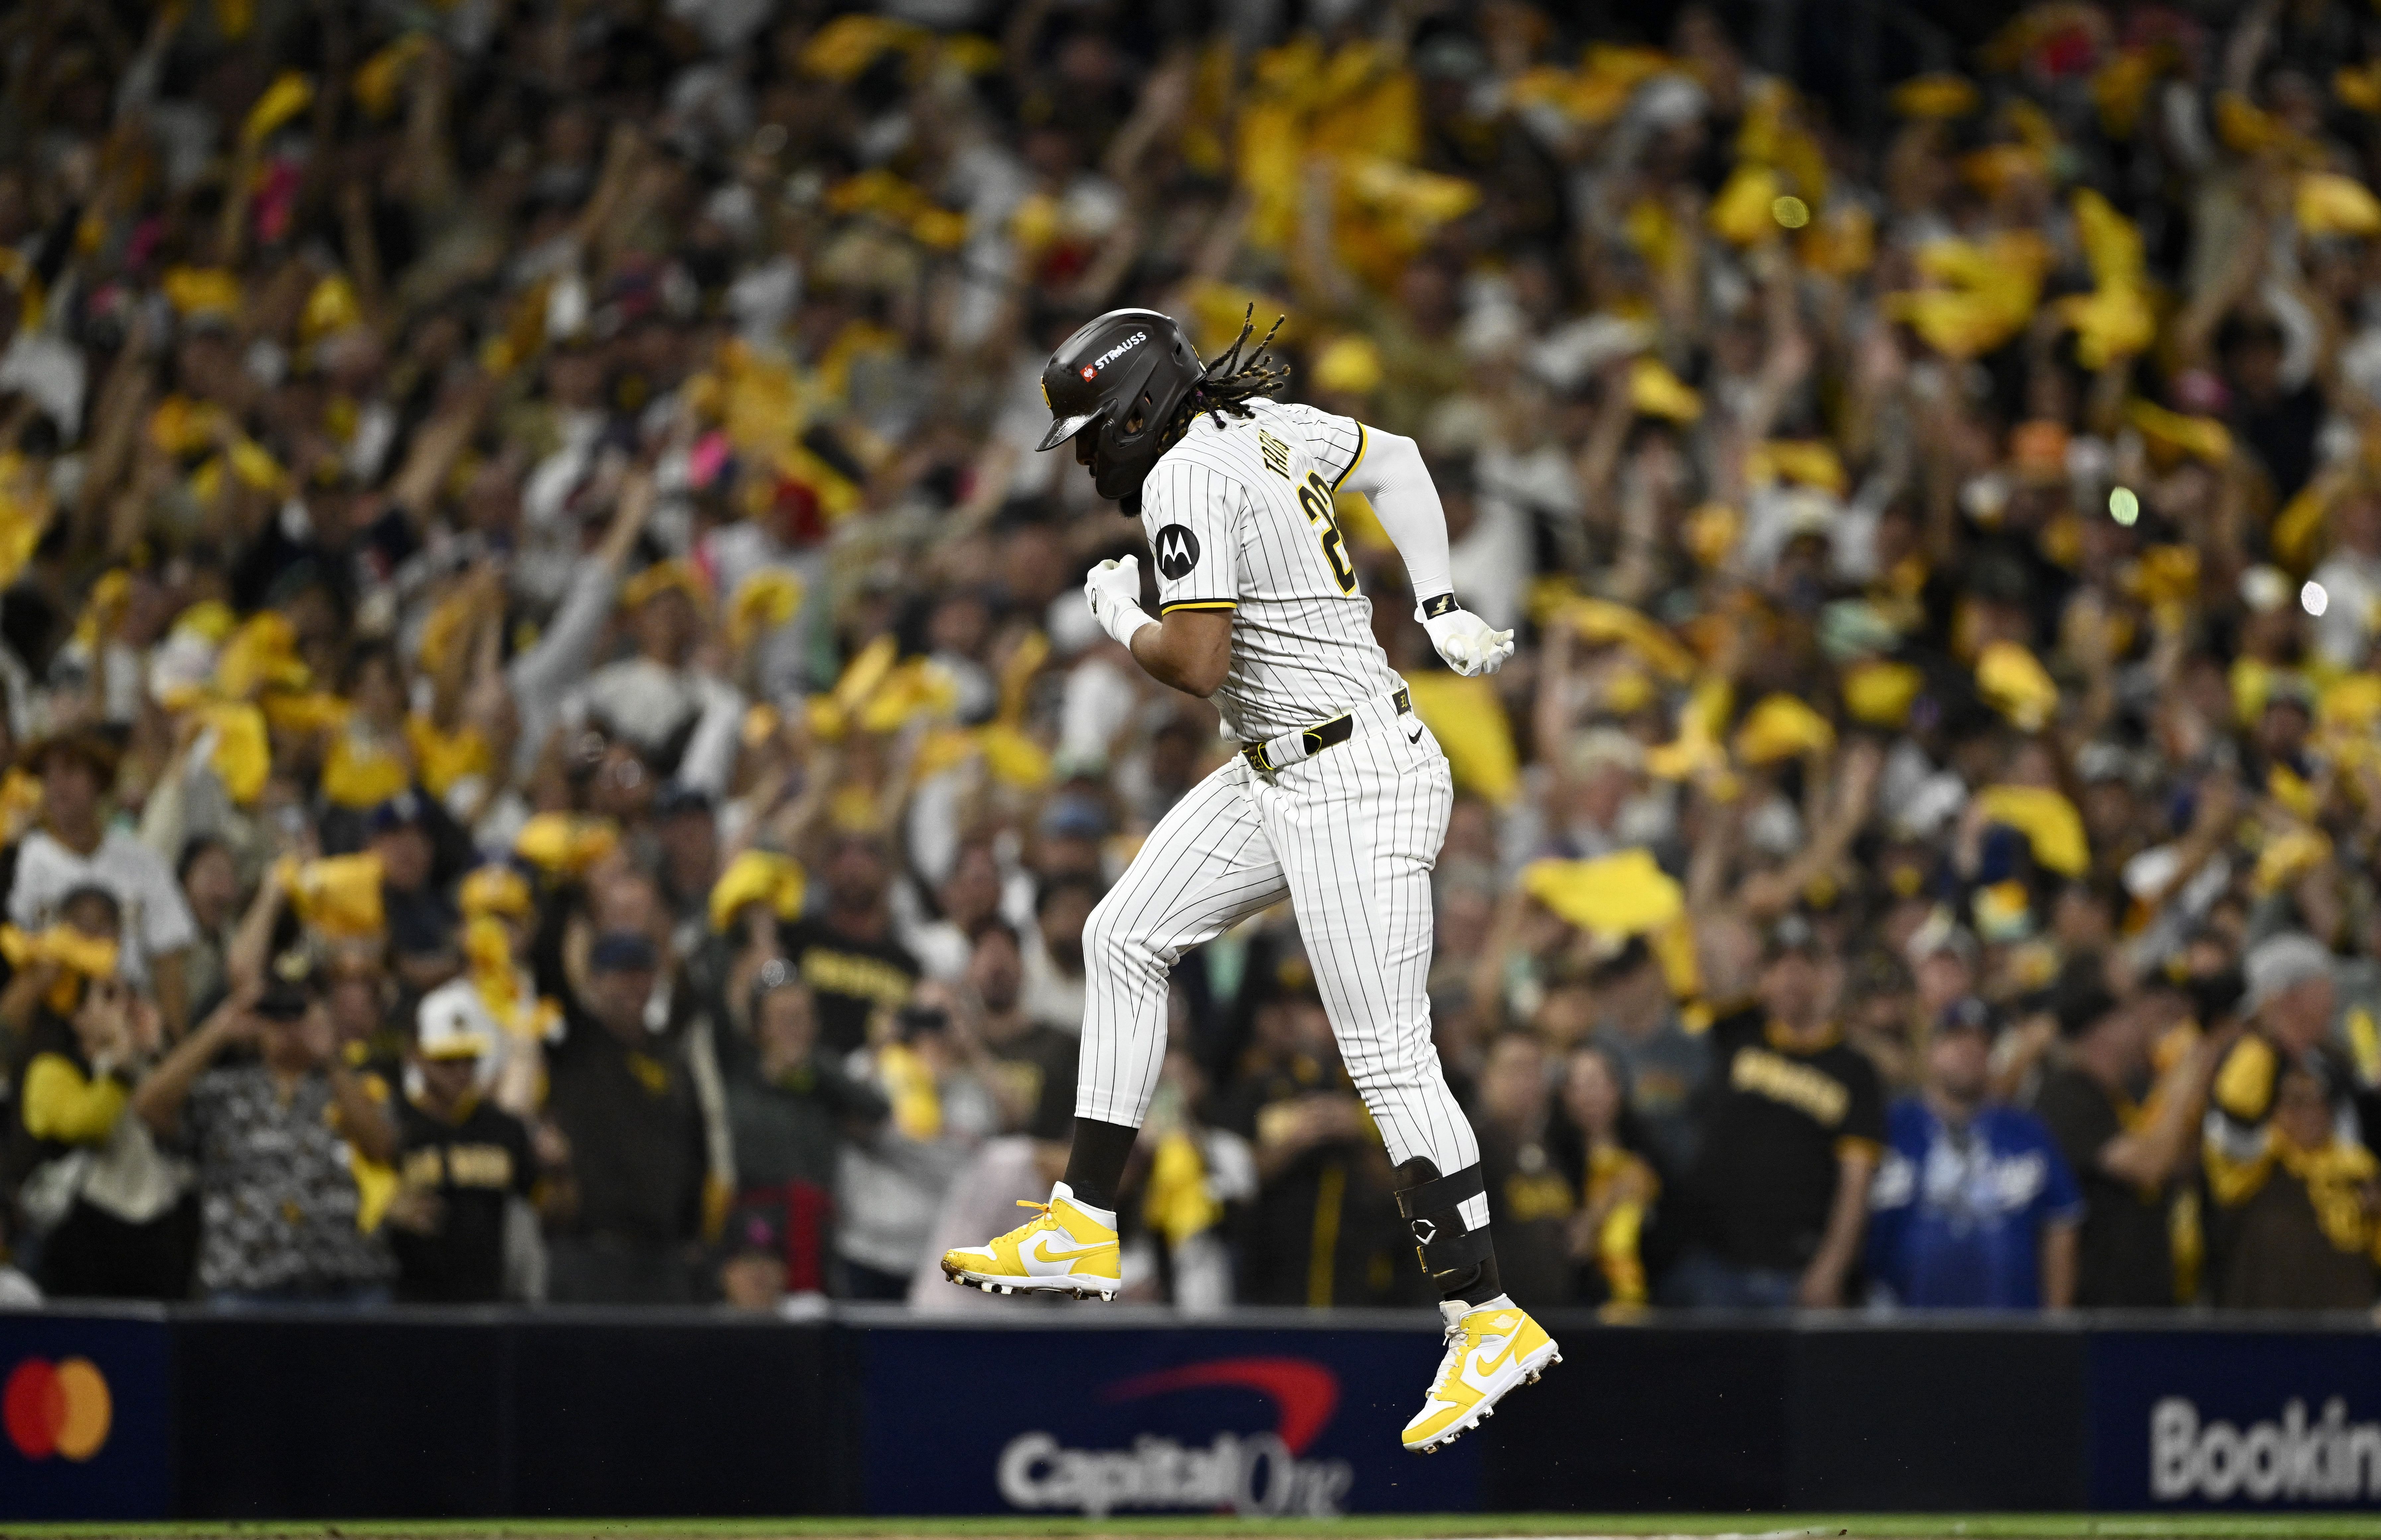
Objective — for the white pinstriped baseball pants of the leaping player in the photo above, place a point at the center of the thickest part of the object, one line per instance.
(1351, 837)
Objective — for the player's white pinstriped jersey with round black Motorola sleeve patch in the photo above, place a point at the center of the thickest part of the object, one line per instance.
(1239, 518)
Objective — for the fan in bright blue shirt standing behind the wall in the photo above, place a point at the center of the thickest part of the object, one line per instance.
(1973, 1206)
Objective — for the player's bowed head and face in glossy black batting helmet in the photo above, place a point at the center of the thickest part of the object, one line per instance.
(1125, 375)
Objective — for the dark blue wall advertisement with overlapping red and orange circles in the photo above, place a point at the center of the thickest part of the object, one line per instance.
(85, 1429)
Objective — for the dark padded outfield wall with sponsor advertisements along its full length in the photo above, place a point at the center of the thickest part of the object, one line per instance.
(149, 1415)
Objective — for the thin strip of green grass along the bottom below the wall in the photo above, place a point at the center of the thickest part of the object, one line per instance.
(1816, 1527)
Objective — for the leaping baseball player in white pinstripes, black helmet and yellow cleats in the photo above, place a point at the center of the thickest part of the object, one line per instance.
(1337, 801)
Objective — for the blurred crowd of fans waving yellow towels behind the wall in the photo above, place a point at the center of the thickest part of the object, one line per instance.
(558, 753)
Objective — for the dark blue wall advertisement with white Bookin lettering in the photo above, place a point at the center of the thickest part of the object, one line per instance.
(2235, 1420)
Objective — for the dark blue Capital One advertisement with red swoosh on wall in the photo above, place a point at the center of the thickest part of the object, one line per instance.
(1154, 1422)
